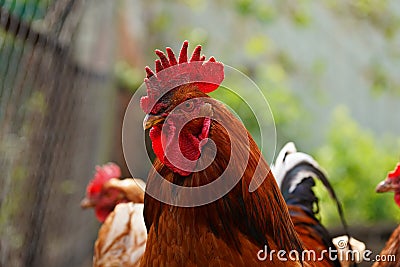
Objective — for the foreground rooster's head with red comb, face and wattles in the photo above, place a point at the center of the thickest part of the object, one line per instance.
(178, 108)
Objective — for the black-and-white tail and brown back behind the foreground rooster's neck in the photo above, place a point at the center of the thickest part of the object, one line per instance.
(295, 173)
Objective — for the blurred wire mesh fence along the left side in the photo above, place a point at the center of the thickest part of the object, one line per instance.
(53, 84)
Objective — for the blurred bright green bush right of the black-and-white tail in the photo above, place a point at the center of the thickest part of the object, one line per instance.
(356, 161)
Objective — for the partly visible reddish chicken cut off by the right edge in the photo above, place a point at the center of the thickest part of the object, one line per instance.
(392, 247)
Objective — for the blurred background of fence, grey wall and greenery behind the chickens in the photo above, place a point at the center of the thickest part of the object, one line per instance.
(68, 68)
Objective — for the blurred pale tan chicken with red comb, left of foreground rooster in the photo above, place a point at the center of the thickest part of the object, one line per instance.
(118, 204)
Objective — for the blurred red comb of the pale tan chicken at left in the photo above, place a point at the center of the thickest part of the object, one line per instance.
(102, 175)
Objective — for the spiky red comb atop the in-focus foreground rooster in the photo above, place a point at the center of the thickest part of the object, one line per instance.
(171, 73)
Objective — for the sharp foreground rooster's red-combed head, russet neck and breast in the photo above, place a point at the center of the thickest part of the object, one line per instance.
(198, 141)
